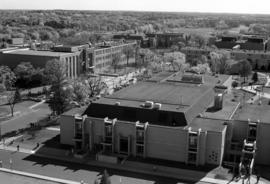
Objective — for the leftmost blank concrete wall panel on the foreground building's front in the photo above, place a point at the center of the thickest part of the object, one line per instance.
(67, 124)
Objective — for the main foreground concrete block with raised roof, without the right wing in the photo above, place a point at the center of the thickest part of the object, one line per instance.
(159, 119)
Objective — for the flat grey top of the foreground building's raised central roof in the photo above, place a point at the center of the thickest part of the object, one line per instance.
(165, 93)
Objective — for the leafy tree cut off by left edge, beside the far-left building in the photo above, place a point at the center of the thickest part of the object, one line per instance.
(7, 77)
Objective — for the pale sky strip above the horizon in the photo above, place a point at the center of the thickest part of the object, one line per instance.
(229, 6)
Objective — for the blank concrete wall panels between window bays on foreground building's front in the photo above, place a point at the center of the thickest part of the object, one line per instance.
(168, 143)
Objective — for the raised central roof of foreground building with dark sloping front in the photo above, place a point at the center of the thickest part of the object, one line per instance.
(180, 103)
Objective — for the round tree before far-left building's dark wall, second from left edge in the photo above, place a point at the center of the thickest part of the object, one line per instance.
(24, 72)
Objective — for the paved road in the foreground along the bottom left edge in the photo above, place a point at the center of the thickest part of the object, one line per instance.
(73, 171)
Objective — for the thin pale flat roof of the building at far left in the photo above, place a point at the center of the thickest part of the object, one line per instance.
(39, 53)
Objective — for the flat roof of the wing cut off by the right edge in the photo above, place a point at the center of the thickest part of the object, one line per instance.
(254, 113)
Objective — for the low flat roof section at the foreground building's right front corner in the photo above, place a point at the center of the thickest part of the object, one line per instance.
(206, 124)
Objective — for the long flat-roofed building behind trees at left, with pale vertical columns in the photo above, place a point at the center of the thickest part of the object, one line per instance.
(77, 59)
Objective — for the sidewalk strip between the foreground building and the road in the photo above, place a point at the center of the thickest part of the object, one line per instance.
(143, 168)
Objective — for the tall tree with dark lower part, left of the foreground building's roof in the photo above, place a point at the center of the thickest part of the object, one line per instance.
(61, 91)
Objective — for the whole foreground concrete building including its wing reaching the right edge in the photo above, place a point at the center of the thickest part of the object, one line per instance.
(182, 118)
